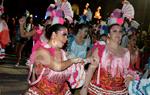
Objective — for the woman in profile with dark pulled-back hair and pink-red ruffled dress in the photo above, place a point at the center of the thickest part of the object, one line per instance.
(49, 68)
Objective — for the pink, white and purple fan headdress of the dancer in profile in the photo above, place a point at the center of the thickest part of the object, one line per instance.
(60, 11)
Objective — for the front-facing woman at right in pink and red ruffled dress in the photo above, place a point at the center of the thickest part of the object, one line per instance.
(109, 74)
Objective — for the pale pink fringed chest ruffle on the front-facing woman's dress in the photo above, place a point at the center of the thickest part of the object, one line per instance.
(120, 64)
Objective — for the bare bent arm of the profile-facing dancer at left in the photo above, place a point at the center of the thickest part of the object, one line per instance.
(43, 57)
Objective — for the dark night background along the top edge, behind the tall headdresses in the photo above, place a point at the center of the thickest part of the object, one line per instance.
(38, 7)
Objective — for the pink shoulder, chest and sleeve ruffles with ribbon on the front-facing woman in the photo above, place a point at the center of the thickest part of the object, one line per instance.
(122, 64)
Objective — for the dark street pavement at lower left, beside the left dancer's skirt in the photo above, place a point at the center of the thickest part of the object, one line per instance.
(12, 79)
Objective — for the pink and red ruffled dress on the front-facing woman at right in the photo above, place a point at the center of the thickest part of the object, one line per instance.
(109, 76)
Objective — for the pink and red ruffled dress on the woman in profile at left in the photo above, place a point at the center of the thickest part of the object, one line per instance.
(50, 82)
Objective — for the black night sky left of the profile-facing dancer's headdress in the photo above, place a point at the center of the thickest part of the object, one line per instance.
(18, 7)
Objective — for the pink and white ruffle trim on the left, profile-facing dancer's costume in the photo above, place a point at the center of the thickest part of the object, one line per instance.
(77, 73)
